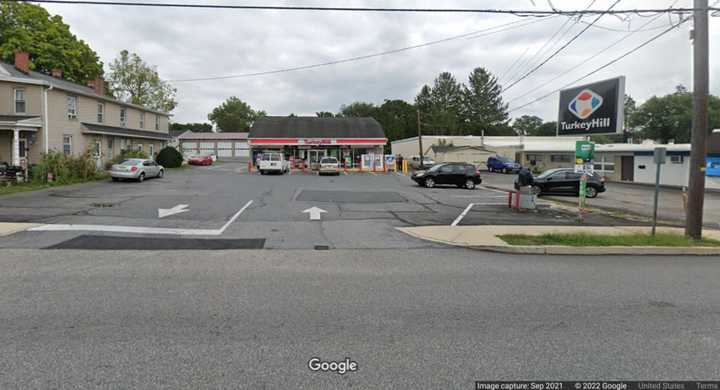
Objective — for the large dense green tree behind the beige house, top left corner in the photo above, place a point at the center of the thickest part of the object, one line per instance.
(28, 27)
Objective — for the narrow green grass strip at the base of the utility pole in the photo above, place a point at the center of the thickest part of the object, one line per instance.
(583, 239)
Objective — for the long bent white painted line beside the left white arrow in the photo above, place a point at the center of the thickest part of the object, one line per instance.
(141, 229)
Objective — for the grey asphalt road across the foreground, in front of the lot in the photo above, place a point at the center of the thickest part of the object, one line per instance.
(430, 318)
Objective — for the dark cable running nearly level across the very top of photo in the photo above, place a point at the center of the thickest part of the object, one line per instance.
(515, 12)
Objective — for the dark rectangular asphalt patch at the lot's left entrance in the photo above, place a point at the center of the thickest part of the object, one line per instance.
(98, 242)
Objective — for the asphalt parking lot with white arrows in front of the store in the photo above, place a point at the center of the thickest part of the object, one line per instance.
(224, 206)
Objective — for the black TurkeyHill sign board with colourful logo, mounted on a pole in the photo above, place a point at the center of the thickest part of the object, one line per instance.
(595, 108)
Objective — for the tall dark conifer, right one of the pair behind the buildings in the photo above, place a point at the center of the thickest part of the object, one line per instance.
(483, 107)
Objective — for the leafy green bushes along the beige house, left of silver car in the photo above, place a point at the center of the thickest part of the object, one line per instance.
(66, 169)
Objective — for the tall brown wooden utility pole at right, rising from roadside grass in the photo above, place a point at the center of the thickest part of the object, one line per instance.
(700, 127)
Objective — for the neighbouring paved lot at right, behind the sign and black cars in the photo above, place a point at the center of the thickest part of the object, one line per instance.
(632, 198)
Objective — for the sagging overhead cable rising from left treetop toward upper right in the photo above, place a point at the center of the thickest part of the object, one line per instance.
(474, 34)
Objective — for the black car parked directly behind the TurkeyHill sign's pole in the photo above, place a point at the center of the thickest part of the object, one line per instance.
(565, 181)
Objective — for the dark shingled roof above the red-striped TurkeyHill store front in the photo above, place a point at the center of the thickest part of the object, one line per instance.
(315, 127)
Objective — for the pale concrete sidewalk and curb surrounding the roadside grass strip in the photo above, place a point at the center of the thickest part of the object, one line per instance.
(484, 237)
